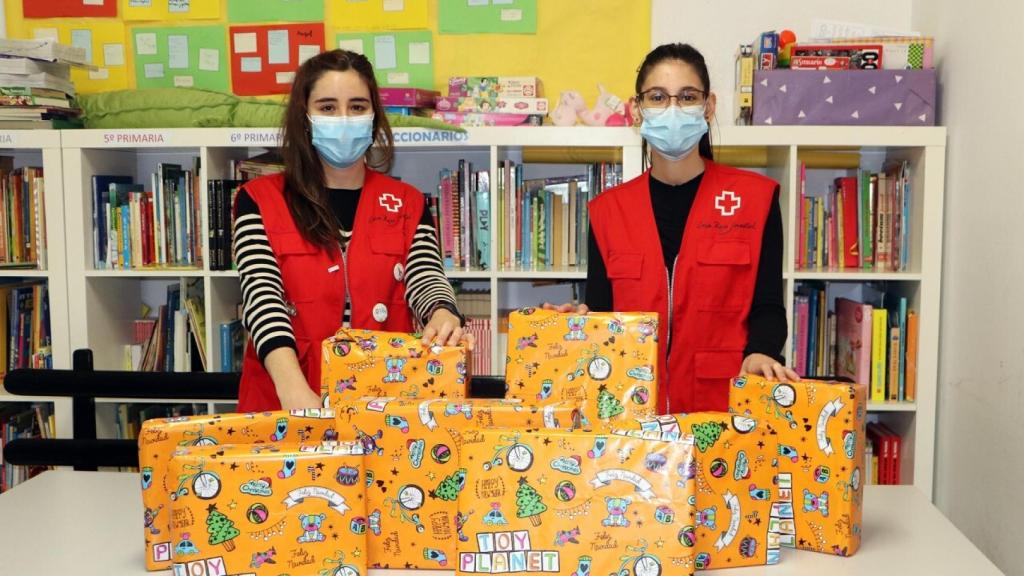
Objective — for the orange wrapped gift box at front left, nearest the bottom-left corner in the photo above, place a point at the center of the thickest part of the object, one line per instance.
(270, 509)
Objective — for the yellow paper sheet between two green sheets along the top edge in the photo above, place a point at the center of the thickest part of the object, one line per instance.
(378, 15)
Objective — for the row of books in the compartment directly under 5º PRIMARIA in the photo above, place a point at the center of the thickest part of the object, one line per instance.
(137, 226)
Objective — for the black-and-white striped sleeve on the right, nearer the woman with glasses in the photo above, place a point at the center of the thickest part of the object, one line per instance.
(428, 289)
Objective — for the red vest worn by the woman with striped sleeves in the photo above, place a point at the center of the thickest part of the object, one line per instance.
(316, 280)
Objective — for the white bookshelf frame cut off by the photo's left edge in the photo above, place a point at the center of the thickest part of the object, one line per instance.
(42, 148)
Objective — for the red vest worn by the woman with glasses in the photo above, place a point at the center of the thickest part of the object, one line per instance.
(713, 283)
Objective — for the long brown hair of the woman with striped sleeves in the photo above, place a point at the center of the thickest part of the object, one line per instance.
(306, 188)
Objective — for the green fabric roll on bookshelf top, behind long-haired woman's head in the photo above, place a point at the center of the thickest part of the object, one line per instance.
(192, 108)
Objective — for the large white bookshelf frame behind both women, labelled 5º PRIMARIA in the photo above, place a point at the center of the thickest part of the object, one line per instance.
(103, 304)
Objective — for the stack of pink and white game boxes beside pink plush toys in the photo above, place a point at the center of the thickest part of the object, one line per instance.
(493, 101)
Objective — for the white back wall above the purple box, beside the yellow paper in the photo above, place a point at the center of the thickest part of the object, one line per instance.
(718, 27)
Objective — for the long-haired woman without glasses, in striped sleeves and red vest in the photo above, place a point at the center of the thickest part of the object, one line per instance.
(333, 240)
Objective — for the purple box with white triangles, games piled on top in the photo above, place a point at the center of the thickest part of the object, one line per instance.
(868, 81)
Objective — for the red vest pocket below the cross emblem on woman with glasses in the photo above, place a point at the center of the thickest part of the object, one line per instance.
(723, 272)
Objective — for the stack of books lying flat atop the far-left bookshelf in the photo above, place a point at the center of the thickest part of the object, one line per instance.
(36, 91)
